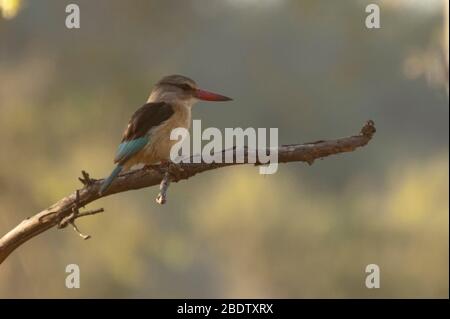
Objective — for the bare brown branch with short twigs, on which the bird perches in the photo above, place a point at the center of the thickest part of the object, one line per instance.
(65, 211)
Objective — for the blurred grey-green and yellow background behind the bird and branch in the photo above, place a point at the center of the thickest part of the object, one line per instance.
(310, 68)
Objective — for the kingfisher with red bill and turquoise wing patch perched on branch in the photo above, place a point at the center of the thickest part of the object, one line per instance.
(146, 139)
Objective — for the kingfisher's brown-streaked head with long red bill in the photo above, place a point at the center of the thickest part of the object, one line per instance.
(181, 89)
